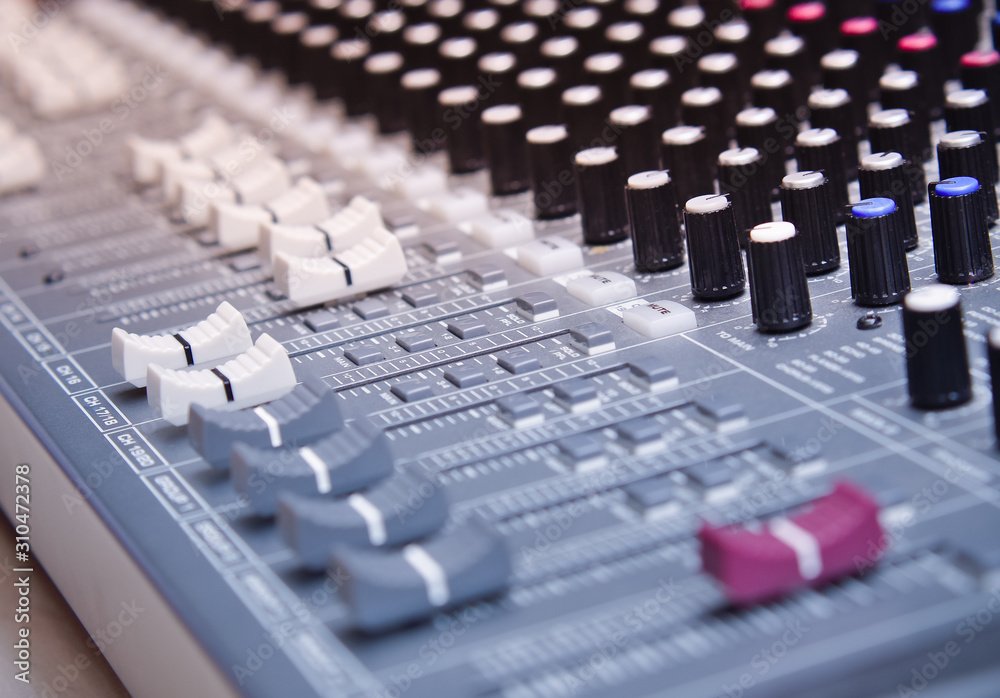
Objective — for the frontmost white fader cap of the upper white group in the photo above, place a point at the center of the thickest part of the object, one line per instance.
(375, 262)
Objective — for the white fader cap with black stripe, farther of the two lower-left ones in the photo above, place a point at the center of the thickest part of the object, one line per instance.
(222, 334)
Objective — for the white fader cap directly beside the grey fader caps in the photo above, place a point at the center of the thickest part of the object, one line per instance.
(261, 374)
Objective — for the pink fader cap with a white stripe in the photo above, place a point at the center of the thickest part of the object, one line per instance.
(838, 535)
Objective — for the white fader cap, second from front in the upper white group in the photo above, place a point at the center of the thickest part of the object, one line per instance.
(346, 228)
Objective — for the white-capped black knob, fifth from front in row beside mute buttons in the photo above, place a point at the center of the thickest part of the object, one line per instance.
(550, 166)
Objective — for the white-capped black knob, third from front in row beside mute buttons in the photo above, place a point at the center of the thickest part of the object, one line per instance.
(654, 218)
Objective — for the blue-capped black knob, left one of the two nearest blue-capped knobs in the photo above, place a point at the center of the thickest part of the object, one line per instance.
(879, 272)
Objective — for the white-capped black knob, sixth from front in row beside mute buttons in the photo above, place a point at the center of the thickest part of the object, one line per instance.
(506, 149)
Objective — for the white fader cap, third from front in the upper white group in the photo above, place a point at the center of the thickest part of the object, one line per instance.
(238, 225)
